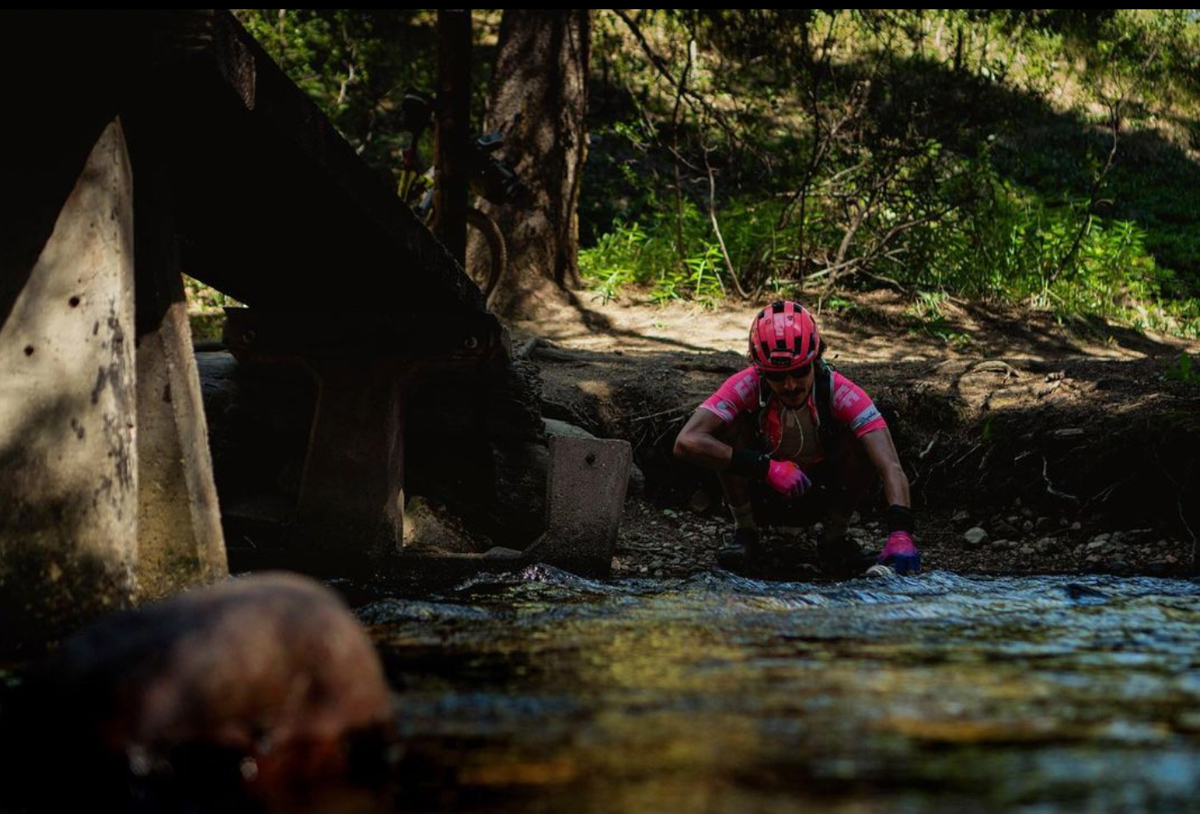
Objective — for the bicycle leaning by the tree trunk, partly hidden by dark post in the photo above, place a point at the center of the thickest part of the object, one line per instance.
(491, 178)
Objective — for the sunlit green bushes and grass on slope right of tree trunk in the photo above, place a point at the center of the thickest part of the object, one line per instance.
(914, 148)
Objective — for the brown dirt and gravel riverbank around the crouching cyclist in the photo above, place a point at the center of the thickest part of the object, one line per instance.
(1031, 447)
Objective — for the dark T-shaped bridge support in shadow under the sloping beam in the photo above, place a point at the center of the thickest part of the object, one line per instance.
(351, 504)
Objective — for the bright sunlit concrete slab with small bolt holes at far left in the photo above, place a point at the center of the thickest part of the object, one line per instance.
(69, 475)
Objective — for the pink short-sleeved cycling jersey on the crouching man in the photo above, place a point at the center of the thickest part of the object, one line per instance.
(740, 396)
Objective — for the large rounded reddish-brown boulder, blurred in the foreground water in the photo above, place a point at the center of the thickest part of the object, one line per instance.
(251, 690)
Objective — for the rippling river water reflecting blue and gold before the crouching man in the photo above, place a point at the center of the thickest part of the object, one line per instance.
(543, 692)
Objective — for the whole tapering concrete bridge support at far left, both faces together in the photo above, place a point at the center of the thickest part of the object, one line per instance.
(101, 472)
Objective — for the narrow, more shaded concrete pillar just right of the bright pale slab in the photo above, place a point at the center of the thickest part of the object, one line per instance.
(181, 542)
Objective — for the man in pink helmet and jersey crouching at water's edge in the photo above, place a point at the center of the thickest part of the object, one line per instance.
(813, 436)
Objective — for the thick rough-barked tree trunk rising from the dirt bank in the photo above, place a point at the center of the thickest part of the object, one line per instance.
(539, 98)
